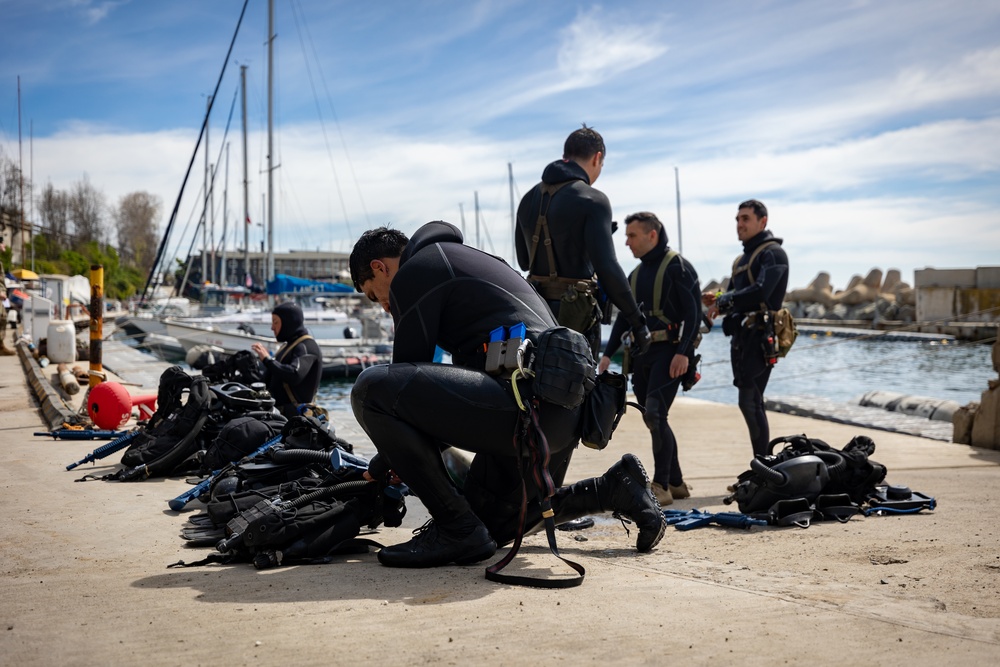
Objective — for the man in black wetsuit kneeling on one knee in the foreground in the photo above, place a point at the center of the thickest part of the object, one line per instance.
(441, 292)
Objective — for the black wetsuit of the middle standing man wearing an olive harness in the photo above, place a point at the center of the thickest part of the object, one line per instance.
(655, 390)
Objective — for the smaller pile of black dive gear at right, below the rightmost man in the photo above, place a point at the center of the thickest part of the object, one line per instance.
(809, 480)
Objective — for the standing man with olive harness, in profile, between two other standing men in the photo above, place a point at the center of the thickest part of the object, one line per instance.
(667, 282)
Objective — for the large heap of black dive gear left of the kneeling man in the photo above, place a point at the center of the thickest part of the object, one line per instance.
(274, 491)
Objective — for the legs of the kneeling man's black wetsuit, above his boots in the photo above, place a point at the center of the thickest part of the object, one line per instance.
(412, 411)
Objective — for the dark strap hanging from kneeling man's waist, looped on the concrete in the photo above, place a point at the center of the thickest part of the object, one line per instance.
(531, 435)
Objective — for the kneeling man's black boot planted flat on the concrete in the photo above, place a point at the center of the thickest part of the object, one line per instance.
(461, 541)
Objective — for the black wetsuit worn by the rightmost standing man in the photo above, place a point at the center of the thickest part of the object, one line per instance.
(750, 369)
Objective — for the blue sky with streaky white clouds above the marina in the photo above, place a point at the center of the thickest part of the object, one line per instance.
(871, 130)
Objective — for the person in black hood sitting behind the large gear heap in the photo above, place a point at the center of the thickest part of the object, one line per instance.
(294, 372)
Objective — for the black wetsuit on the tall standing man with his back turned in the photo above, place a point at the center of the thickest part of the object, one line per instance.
(579, 221)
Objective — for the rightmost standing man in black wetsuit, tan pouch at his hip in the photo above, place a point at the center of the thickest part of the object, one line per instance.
(758, 284)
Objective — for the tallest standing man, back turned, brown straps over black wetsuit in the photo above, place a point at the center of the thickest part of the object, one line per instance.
(564, 242)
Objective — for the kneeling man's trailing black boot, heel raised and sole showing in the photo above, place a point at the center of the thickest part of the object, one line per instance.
(625, 491)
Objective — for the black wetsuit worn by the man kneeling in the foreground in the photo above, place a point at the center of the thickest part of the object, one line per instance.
(451, 295)
